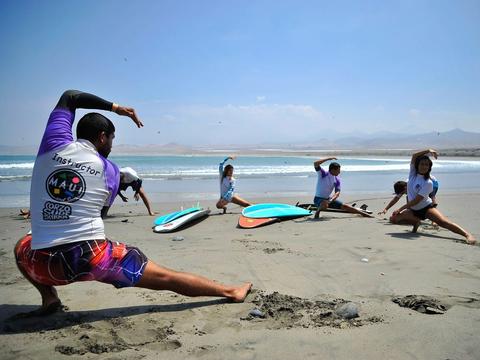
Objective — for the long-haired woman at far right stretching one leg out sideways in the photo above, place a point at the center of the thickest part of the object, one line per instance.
(420, 206)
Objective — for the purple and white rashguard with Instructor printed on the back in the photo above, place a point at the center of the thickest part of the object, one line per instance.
(71, 181)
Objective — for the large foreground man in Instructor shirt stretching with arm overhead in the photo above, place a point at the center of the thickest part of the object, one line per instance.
(71, 181)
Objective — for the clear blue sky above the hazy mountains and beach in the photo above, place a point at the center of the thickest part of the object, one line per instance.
(233, 72)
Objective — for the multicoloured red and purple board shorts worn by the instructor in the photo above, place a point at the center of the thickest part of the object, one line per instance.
(101, 260)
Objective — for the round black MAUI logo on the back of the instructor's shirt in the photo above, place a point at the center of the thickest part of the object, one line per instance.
(65, 185)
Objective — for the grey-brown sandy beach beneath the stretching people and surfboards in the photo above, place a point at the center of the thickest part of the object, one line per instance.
(302, 270)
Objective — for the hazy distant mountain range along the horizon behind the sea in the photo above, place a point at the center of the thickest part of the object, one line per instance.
(456, 140)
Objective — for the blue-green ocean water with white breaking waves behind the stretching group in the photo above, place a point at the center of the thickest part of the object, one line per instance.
(195, 178)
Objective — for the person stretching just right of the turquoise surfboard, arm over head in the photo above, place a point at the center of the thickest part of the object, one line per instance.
(327, 182)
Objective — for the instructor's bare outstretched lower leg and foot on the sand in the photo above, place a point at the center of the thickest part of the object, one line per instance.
(156, 277)
